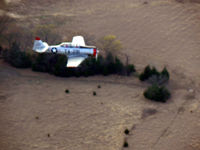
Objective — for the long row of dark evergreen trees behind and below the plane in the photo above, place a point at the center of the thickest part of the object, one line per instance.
(56, 64)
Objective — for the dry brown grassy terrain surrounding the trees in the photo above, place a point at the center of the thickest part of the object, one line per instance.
(37, 114)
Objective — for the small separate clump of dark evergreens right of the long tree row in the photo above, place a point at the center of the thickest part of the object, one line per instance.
(157, 91)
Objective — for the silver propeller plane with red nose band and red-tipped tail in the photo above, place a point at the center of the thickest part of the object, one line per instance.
(76, 51)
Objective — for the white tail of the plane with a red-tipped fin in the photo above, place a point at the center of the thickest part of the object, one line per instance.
(40, 46)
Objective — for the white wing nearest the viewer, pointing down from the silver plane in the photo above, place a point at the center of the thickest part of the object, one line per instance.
(75, 60)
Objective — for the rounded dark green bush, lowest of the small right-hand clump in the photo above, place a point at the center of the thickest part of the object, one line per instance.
(157, 93)
